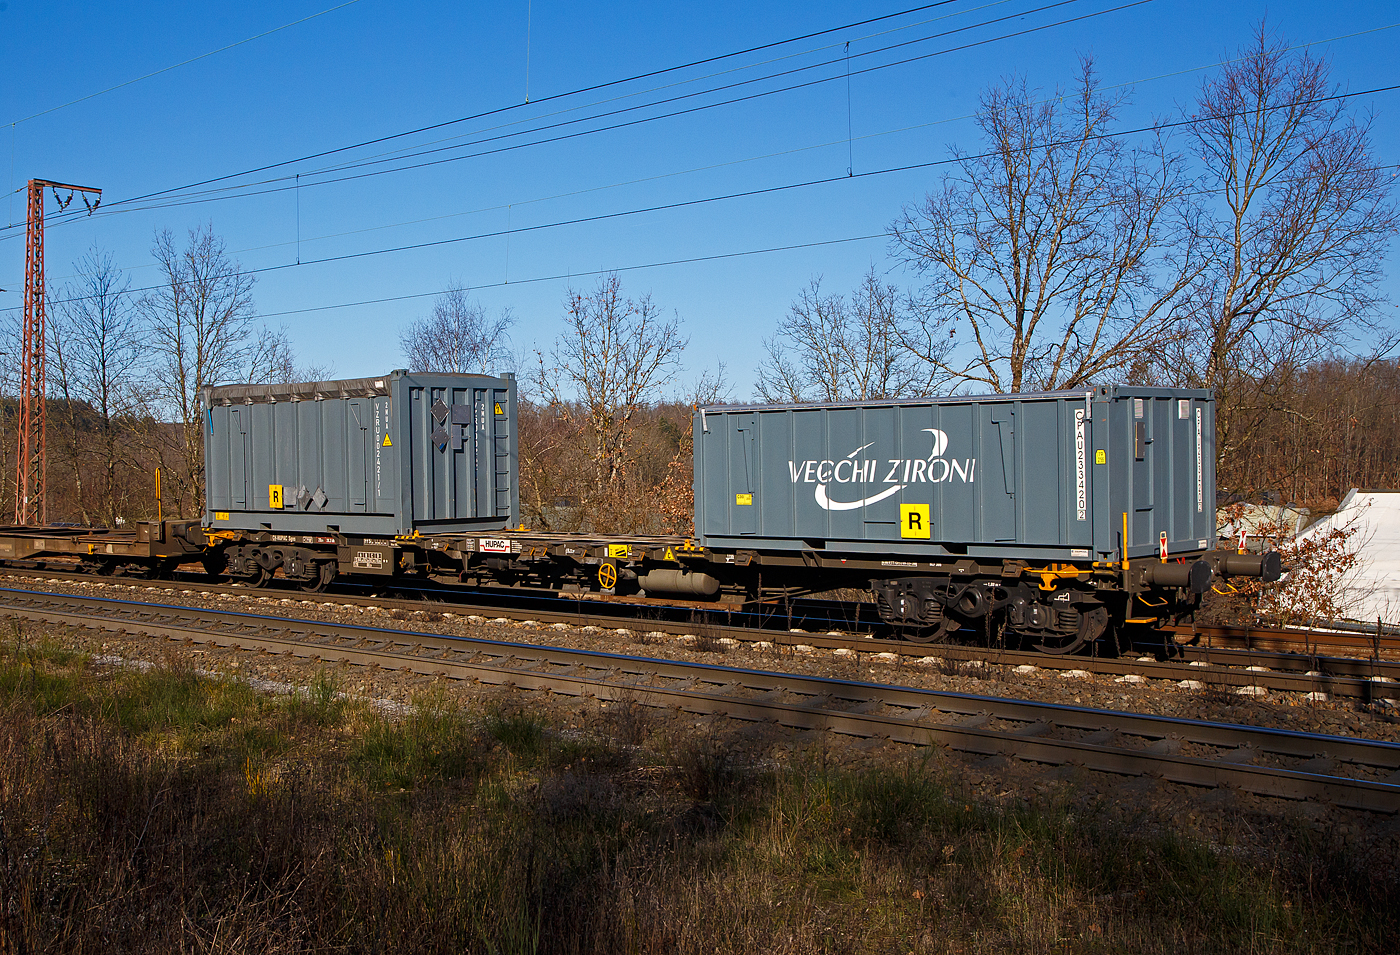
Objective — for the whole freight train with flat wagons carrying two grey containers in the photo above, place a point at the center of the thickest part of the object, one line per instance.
(1046, 520)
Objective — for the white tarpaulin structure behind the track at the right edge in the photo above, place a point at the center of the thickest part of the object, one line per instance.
(1373, 587)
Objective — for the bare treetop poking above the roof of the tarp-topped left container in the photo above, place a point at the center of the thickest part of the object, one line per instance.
(458, 337)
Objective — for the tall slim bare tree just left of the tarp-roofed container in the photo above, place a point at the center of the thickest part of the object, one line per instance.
(202, 331)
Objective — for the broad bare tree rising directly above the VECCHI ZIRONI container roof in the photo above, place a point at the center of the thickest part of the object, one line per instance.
(1056, 256)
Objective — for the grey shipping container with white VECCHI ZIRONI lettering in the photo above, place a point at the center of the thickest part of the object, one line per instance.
(1042, 477)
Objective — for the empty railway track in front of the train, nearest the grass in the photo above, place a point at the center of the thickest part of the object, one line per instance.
(1346, 772)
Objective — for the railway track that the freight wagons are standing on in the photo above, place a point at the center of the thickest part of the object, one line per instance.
(1231, 670)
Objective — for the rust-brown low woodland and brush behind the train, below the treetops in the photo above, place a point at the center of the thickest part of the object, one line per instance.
(1336, 428)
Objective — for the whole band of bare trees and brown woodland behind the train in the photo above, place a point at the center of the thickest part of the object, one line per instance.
(1238, 247)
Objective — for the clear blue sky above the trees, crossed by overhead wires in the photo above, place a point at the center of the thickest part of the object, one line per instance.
(372, 69)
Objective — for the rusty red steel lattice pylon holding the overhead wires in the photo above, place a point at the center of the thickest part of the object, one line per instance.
(31, 505)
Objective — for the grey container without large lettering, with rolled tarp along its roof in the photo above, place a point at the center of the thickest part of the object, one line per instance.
(366, 457)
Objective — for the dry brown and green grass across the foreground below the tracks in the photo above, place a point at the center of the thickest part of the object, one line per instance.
(163, 813)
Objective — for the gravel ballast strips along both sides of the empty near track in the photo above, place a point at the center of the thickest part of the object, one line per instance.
(1235, 823)
